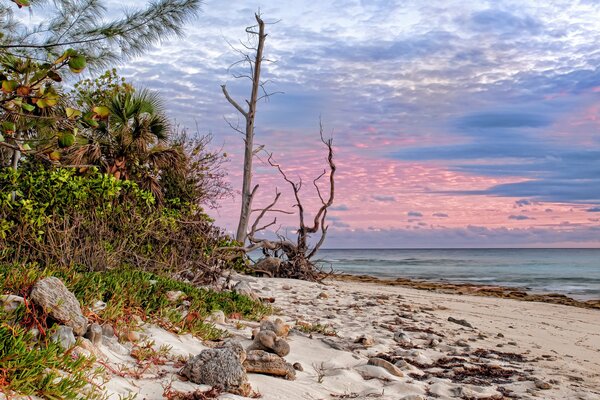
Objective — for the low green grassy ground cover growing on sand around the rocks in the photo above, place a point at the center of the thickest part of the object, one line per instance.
(41, 368)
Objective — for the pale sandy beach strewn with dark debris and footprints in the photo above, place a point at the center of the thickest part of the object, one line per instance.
(362, 340)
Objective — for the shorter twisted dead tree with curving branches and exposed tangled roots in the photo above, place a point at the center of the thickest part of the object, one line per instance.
(293, 258)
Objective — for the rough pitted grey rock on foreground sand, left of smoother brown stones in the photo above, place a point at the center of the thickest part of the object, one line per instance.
(220, 366)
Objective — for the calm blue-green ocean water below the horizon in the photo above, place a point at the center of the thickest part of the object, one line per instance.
(573, 272)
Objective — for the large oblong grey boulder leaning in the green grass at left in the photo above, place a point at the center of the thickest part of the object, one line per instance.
(62, 305)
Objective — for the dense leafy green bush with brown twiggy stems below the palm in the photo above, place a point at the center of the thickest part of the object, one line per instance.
(98, 222)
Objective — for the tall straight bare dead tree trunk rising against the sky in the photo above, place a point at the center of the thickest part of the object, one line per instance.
(247, 192)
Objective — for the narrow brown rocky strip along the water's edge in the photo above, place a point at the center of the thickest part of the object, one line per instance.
(470, 289)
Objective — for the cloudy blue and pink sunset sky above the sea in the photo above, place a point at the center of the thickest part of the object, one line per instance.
(456, 123)
